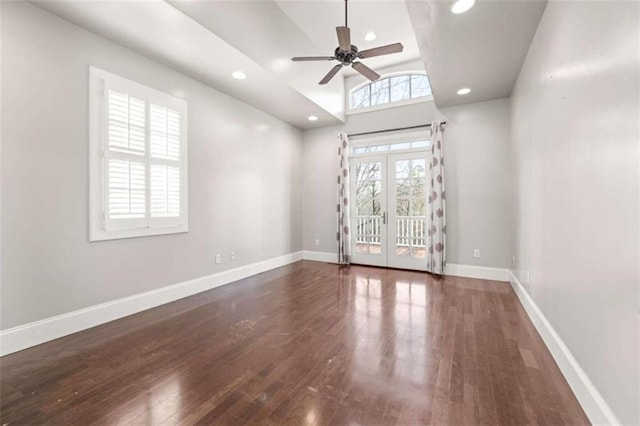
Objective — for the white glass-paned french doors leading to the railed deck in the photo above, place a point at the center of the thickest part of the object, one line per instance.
(388, 212)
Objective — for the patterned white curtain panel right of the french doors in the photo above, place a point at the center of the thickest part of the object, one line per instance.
(437, 232)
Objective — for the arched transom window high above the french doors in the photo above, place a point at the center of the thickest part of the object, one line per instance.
(395, 88)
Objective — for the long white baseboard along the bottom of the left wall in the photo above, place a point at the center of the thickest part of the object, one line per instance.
(32, 334)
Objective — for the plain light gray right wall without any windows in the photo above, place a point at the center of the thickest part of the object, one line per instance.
(575, 188)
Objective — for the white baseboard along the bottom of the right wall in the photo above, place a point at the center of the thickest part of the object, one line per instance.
(593, 404)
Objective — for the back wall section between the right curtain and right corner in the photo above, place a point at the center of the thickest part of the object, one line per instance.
(476, 149)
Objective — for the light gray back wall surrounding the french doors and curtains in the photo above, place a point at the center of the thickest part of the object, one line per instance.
(477, 153)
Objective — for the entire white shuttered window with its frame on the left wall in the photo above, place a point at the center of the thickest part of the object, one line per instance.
(138, 159)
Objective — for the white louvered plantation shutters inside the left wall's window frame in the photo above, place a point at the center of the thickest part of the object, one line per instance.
(143, 159)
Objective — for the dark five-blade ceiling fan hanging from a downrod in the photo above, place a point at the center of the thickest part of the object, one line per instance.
(348, 54)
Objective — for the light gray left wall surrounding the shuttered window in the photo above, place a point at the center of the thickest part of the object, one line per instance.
(244, 177)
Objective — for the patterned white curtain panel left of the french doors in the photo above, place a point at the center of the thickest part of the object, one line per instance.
(344, 246)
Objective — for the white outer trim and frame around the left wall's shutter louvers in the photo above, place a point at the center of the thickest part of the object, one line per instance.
(98, 80)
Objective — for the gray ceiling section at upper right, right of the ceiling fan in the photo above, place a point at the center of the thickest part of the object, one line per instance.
(482, 49)
